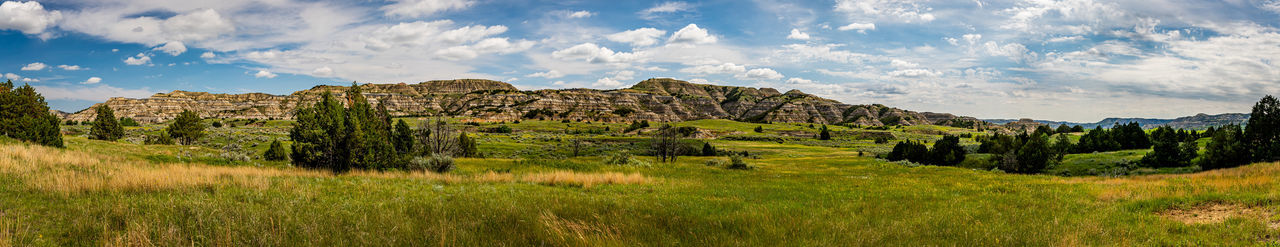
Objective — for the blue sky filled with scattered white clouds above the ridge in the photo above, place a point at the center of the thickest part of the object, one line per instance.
(1078, 61)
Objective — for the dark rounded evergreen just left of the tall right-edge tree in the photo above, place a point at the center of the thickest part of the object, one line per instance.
(1227, 149)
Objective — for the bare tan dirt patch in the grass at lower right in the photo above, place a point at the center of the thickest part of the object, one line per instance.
(1218, 213)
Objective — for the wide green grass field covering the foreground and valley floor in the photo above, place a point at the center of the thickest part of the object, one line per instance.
(799, 194)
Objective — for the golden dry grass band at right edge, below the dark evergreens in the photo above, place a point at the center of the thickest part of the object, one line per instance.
(1258, 179)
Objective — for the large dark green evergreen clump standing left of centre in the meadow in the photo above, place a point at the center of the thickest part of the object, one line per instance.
(336, 136)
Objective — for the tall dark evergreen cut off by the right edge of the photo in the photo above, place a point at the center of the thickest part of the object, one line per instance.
(1263, 132)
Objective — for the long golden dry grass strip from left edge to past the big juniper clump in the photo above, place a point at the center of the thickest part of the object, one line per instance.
(71, 172)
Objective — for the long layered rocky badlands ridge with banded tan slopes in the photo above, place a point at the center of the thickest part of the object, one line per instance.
(657, 100)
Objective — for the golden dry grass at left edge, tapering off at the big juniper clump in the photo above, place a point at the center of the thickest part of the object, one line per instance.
(67, 172)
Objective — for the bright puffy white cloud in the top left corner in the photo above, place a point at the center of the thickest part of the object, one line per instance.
(29, 17)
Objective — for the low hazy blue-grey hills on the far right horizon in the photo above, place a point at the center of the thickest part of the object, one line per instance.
(1196, 122)
